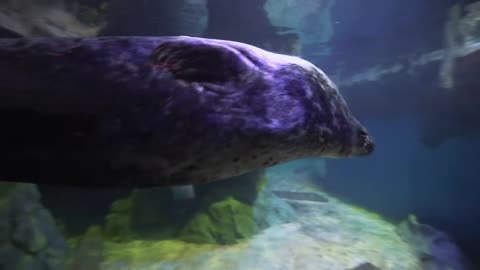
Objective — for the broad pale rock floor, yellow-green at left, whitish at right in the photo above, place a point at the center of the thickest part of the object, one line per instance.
(330, 235)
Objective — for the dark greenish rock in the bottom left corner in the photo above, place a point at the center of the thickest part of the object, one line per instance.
(29, 238)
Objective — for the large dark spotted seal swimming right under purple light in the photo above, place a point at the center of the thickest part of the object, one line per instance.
(145, 111)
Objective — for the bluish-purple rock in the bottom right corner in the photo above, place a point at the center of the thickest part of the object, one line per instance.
(434, 248)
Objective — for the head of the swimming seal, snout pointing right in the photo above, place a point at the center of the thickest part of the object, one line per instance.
(335, 130)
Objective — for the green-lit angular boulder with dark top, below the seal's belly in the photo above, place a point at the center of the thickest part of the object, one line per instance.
(226, 212)
